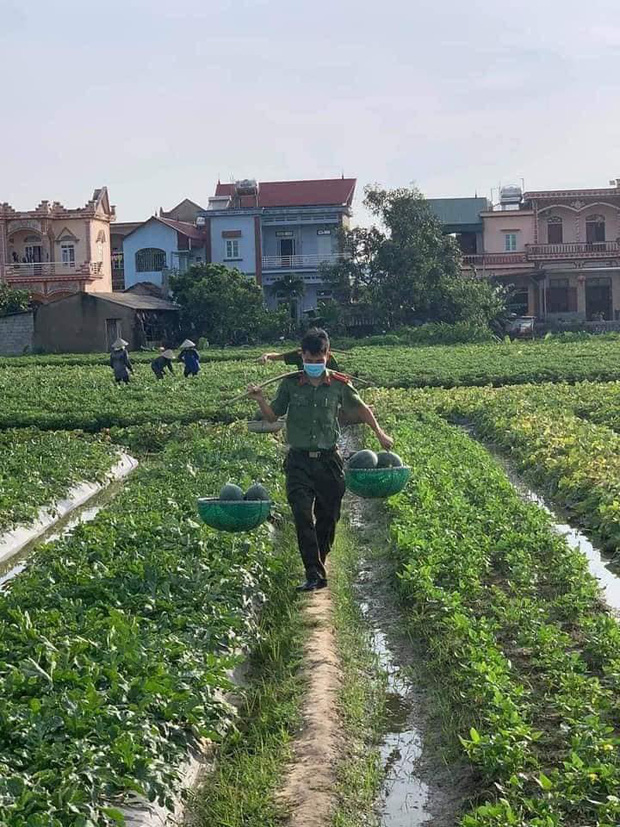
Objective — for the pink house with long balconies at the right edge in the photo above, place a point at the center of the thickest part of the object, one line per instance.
(559, 249)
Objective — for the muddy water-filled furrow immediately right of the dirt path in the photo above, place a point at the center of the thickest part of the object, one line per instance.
(419, 787)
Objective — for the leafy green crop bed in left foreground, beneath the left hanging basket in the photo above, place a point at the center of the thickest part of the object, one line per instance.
(116, 641)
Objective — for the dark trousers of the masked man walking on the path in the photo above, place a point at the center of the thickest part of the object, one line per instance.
(314, 488)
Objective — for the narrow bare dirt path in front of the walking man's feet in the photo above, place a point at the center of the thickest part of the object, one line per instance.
(309, 788)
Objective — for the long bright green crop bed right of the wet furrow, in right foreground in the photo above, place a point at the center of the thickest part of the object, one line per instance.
(514, 630)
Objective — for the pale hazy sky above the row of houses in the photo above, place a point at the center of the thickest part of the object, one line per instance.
(157, 99)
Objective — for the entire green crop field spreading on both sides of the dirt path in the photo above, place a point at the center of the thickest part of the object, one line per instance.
(117, 640)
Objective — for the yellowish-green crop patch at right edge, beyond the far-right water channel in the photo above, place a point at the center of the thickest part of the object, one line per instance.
(542, 429)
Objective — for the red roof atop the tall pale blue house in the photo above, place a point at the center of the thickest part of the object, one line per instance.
(326, 192)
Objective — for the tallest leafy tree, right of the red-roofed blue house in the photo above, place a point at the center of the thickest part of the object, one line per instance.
(406, 269)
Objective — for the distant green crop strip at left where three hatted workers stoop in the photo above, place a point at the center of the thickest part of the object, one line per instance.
(87, 397)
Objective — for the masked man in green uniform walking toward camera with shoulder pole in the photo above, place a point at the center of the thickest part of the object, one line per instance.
(314, 468)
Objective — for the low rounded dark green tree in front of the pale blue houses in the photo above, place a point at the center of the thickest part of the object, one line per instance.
(224, 306)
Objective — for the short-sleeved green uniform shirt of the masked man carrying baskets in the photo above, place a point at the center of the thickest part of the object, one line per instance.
(312, 422)
